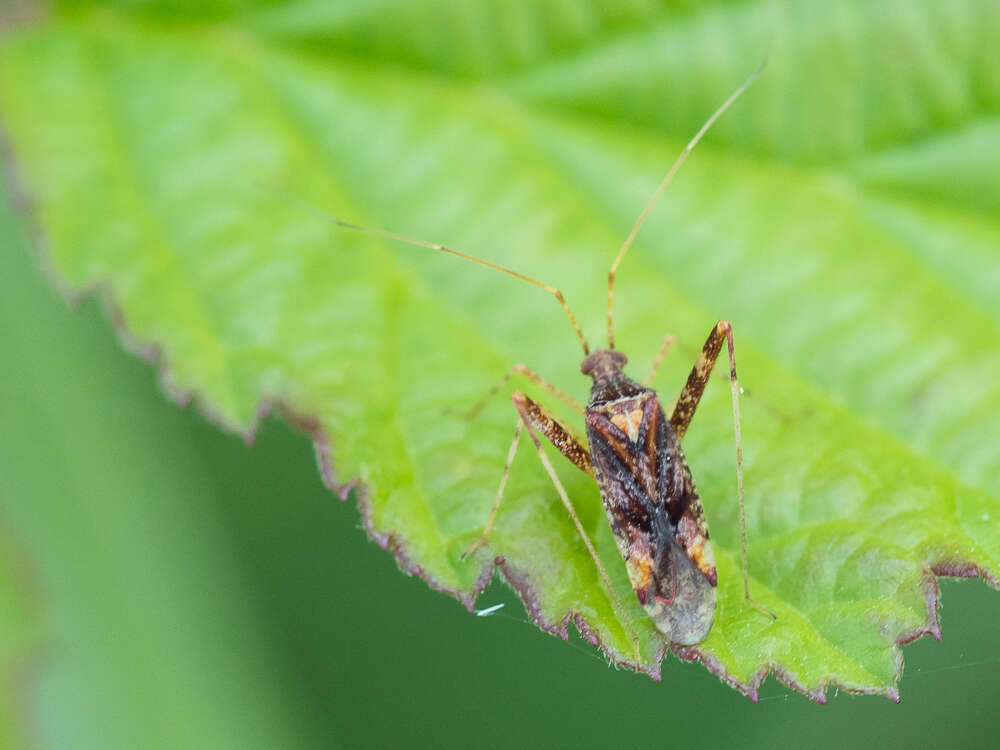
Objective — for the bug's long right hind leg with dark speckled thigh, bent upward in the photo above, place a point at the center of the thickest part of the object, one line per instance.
(684, 410)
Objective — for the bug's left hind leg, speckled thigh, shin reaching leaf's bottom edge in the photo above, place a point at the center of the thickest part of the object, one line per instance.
(535, 417)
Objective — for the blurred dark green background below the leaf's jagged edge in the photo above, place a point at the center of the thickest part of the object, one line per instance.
(188, 590)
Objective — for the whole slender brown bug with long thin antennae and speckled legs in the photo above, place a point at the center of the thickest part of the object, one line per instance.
(633, 452)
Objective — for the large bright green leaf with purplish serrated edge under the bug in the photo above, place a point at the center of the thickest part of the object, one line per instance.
(841, 215)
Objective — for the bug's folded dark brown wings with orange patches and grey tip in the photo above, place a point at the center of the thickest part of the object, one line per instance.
(655, 515)
